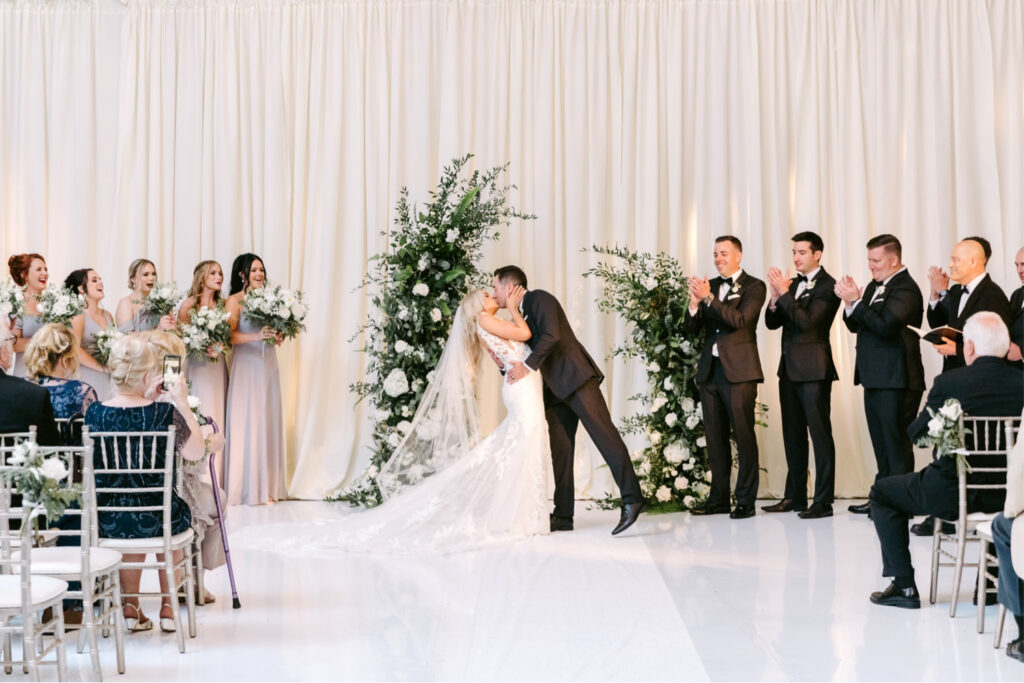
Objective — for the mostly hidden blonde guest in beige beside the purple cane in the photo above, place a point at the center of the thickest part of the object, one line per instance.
(196, 489)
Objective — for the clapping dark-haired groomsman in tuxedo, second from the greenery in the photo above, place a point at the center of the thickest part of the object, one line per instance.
(805, 308)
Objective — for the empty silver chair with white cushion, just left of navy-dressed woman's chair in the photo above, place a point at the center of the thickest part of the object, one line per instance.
(97, 569)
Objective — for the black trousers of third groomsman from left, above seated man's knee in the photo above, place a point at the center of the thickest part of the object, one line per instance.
(889, 414)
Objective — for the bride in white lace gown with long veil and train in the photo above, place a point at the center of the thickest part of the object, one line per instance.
(446, 490)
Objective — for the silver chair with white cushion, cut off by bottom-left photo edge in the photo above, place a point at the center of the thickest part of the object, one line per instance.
(24, 599)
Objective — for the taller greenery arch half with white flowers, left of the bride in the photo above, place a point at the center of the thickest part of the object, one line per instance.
(415, 287)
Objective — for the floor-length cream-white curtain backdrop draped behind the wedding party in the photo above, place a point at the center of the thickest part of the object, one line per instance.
(185, 131)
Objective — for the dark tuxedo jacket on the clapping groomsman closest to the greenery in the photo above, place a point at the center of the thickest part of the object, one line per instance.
(733, 325)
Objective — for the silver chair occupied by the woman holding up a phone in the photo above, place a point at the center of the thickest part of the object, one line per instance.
(147, 459)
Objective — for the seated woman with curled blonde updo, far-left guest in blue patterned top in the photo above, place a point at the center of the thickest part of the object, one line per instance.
(52, 361)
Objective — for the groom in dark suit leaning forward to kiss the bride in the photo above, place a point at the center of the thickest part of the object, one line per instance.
(572, 396)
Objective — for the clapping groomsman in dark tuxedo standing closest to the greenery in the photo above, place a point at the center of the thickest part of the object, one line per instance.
(728, 309)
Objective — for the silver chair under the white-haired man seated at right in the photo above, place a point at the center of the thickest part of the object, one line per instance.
(990, 441)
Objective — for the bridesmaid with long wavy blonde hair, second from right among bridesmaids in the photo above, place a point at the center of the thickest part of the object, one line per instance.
(208, 378)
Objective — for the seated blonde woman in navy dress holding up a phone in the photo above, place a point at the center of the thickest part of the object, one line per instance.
(137, 378)
